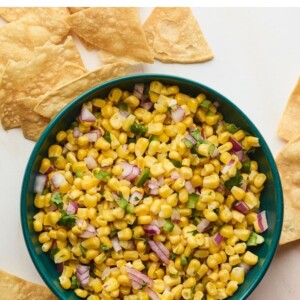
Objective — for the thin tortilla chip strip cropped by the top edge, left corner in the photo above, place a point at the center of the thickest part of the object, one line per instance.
(12, 14)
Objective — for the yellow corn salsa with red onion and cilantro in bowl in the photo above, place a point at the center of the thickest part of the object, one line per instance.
(151, 194)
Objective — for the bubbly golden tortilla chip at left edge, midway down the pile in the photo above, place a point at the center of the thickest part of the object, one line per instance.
(52, 66)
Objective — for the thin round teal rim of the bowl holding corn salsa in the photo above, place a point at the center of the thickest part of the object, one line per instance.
(151, 76)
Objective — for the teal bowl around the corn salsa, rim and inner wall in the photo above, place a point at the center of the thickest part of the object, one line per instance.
(271, 198)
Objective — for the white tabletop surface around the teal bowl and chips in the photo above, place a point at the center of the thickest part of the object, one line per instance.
(256, 65)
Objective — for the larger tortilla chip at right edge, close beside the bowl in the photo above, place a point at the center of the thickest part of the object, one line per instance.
(288, 163)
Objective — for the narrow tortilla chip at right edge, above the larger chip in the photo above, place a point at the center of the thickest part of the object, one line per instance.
(289, 126)
